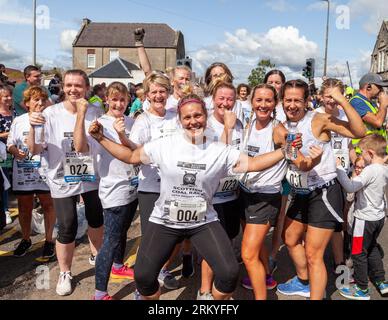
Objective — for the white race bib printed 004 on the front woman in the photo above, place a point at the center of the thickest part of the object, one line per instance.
(188, 211)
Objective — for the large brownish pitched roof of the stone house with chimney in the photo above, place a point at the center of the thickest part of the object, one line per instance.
(119, 35)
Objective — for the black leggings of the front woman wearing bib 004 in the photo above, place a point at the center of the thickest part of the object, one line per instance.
(211, 242)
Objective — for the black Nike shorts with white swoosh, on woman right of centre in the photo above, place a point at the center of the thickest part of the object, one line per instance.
(262, 208)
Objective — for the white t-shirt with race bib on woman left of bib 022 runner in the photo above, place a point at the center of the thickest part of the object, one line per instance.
(31, 173)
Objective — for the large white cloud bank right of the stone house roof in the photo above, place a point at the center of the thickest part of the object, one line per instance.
(242, 50)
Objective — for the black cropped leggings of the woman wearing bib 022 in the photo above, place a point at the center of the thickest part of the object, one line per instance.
(66, 211)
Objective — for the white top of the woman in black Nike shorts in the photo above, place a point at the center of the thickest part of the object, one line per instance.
(270, 180)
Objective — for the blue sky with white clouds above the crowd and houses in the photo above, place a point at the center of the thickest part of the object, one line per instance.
(239, 33)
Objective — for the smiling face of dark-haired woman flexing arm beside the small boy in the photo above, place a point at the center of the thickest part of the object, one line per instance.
(294, 104)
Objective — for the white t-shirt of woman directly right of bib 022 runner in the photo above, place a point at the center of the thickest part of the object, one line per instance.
(118, 180)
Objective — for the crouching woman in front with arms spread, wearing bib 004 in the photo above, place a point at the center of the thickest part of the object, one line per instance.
(189, 178)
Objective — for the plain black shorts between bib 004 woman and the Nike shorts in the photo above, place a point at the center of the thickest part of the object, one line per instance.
(229, 215)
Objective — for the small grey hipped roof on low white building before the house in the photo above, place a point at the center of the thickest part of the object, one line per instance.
(117, 68)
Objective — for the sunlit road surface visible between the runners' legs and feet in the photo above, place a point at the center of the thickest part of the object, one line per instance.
(27, 278)
